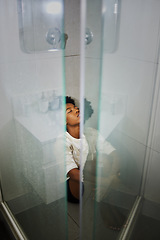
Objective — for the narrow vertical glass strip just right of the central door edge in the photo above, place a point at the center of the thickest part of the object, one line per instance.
(91, 104)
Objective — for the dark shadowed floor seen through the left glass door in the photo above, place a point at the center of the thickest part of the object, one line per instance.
(44, 219)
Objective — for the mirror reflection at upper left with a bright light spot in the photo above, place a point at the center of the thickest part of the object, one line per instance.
(40, 25)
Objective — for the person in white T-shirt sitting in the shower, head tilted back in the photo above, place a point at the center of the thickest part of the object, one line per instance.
(98, 185)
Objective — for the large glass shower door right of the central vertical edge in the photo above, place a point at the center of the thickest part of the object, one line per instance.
(119, 85)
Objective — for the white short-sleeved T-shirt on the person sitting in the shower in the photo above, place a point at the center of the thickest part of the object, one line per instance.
(73, 146)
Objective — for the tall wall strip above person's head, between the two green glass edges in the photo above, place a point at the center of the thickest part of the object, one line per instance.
(92, 53)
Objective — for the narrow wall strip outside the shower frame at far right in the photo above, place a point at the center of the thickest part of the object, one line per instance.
(153, 154)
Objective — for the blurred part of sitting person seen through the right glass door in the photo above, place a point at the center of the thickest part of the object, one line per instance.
(103, 177)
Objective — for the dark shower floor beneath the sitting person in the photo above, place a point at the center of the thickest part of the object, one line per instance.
(41, 219)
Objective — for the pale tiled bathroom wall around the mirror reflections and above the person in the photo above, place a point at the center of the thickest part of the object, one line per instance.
(130, 71)
